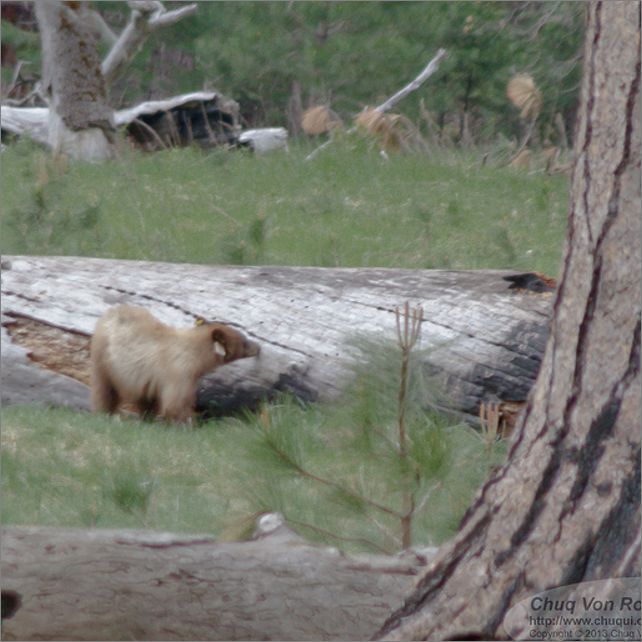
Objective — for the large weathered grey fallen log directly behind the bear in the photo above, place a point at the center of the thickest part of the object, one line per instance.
(482, 336)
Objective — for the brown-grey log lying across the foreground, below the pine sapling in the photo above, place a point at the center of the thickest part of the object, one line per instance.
(77, 584)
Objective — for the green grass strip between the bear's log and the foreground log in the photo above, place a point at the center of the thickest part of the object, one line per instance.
(326, 468)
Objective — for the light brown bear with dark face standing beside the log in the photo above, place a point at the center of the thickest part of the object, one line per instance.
(139, 361)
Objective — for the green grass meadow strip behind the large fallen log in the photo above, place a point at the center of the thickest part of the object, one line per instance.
(348, 207)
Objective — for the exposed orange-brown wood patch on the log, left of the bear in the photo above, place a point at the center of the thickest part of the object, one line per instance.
(62, 351)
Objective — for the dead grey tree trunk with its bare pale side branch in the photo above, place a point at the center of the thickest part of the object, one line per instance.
(80, 121)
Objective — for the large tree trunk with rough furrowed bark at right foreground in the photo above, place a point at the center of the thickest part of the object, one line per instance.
(565, 508)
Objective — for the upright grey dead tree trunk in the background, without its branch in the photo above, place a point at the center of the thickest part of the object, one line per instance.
(80, 120)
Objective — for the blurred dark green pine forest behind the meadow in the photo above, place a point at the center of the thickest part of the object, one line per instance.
(277, 57)
